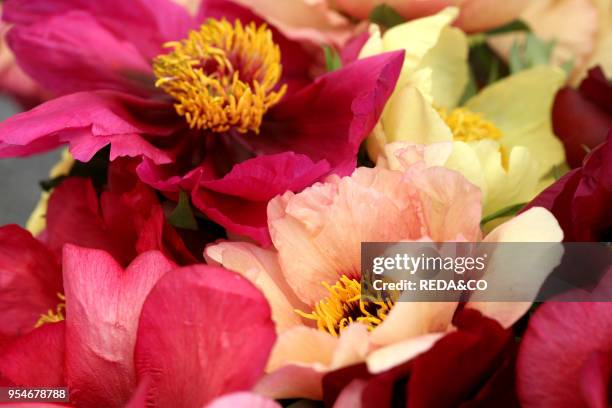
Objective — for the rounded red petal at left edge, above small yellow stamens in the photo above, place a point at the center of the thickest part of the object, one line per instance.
(31, 279)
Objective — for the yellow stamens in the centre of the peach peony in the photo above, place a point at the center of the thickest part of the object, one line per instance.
(344, 306)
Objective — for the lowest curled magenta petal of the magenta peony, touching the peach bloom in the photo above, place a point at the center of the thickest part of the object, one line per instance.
(238, 200)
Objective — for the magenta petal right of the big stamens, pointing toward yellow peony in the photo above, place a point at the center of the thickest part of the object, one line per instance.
(330, 118)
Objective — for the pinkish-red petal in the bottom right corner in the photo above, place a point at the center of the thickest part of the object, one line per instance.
(564, 358)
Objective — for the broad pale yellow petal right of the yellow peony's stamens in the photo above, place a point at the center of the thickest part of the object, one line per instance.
(520, 106)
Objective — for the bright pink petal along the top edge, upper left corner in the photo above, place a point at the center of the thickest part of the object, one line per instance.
(148, 24)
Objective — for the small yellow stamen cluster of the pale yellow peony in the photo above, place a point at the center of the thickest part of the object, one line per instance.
(468, 126)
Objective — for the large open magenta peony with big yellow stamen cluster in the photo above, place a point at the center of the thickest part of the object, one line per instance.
(234, 131)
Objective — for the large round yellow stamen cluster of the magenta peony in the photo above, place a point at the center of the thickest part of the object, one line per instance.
(222, 76)
